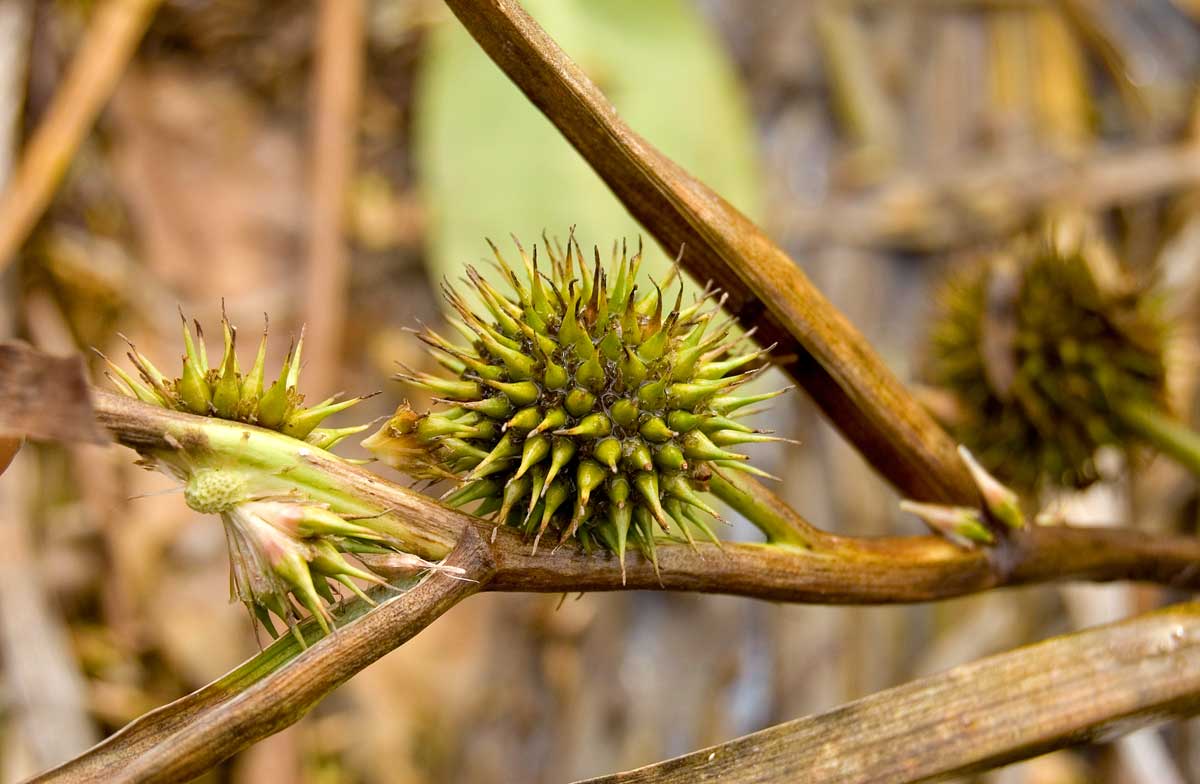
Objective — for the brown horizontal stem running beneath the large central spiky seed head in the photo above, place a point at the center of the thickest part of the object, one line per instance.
(829, 570)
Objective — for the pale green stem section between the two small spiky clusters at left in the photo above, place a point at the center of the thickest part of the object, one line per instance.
(274, 464)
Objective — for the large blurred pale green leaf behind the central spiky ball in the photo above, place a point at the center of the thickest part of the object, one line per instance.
(491, 165)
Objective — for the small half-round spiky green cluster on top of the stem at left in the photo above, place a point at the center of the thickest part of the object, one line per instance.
(225, 391)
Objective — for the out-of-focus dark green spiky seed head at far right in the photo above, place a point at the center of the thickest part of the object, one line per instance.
(1039, 345)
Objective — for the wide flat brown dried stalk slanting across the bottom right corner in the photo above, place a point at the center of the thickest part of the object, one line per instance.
(976, 716)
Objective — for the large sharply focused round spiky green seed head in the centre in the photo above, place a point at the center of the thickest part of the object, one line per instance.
(581, 405)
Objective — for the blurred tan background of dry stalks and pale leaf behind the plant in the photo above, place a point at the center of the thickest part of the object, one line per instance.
(331, 163)
